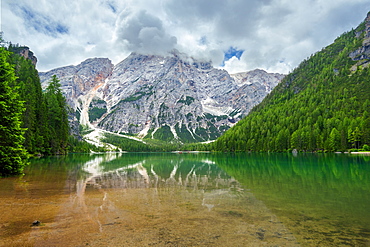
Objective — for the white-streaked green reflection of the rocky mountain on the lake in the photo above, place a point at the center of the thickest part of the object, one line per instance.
(157, 172)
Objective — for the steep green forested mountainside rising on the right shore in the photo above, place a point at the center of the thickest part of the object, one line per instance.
(323, 105)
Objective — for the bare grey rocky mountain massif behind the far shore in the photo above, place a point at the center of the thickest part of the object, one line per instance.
(173, 97)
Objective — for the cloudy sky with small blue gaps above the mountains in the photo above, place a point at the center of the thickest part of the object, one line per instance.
(238, 35)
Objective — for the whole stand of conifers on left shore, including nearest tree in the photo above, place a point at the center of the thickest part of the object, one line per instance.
(32, 121)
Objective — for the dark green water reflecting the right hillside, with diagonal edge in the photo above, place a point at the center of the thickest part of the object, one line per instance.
(323, 199)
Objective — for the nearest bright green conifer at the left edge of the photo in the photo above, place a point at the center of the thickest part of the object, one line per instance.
(13, 155)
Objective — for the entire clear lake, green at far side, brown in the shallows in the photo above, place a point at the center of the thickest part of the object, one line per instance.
(202, 199)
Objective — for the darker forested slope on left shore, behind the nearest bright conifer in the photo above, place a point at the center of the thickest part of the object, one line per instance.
(45, 118)
